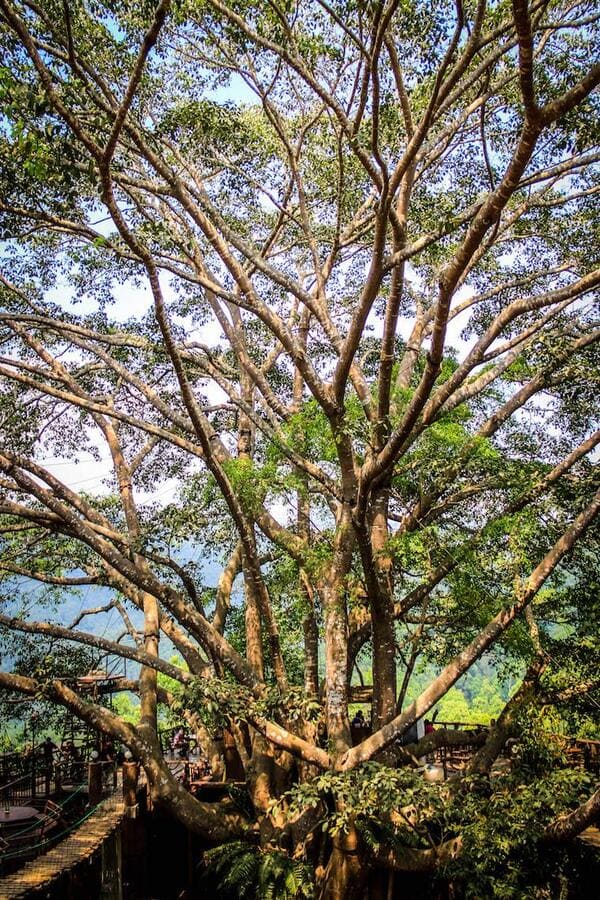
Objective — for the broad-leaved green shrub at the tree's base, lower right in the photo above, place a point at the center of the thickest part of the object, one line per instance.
(500, 823)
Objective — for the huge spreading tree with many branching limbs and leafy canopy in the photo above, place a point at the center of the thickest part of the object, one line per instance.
(360, 240)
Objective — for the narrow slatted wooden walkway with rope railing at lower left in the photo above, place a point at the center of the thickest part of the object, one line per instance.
(79, 845)
